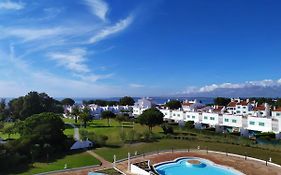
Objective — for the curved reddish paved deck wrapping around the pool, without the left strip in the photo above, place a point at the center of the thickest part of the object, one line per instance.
(248, 167)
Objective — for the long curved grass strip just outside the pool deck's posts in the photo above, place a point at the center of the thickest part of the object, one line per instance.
(164, 144)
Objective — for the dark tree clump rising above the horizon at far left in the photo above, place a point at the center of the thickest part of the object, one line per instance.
(33, 103)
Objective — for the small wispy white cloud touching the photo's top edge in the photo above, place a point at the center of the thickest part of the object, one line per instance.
(98, 8)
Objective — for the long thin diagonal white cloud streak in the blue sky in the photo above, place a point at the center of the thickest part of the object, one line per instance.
(108, 31)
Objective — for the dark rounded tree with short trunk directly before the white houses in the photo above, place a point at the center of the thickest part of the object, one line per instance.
(151, 117)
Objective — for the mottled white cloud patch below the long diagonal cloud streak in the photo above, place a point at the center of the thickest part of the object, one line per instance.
(74, 60)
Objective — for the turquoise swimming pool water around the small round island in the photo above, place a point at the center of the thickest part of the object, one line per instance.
(181, 166)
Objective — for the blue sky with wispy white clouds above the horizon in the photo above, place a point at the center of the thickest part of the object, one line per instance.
(103, 48)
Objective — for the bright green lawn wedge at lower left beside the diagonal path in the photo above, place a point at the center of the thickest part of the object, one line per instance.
(72, 161)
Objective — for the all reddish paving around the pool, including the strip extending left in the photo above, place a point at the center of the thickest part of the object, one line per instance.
(248, 167)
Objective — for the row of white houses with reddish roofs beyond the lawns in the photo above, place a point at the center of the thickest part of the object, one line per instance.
(239, 115)
